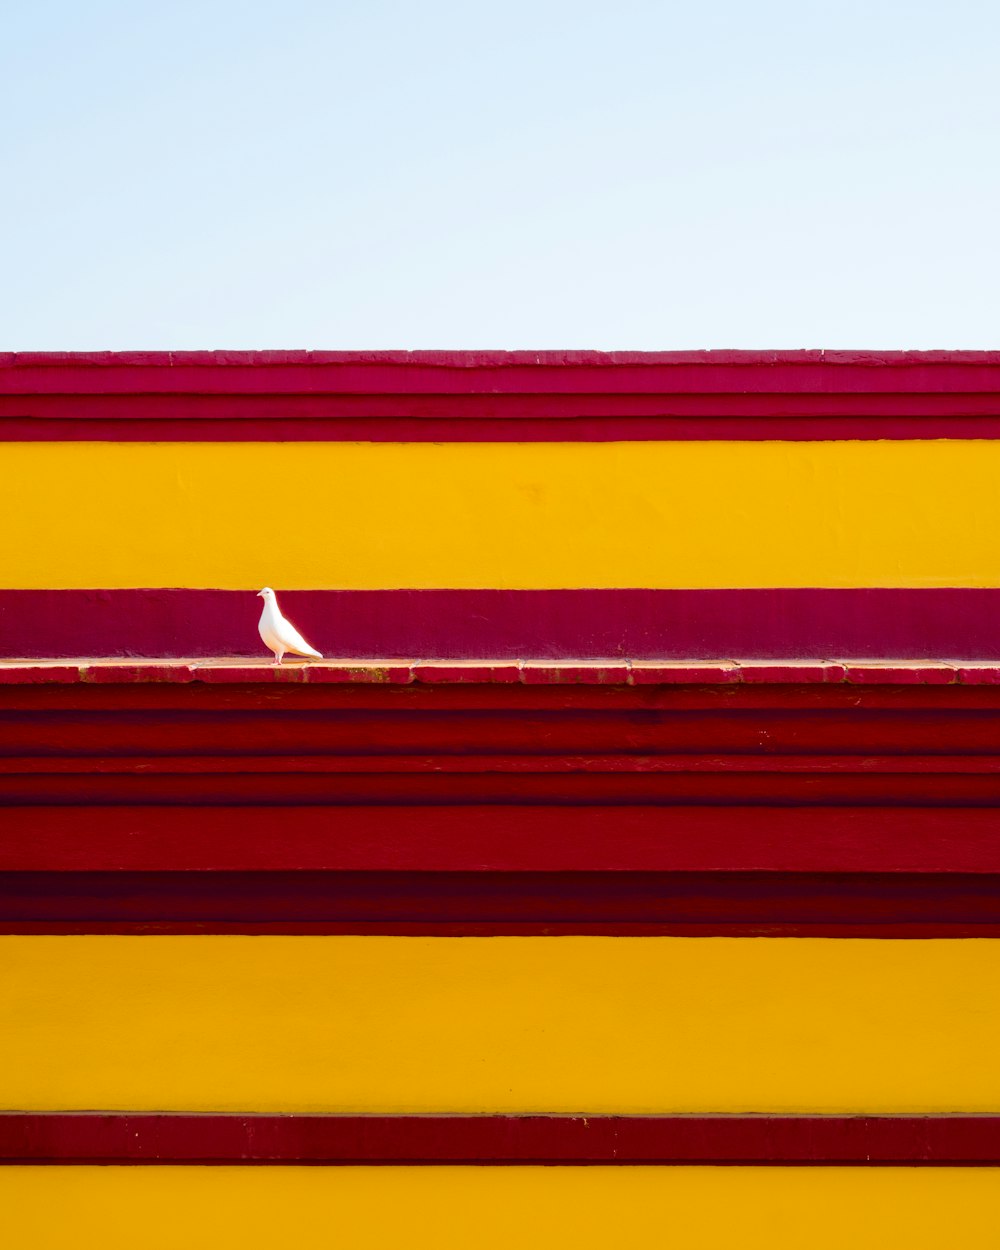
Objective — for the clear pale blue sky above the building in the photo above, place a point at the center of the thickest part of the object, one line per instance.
(528, 174)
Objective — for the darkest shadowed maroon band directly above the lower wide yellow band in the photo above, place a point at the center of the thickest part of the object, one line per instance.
(717, 904)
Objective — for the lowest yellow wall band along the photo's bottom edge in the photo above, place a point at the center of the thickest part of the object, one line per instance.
(499, 1208)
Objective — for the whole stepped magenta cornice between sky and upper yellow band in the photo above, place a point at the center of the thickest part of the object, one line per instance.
(456, 397)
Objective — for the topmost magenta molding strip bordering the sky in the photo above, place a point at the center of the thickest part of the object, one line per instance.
(498, 372)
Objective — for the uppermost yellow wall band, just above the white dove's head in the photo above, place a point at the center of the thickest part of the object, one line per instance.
(309, 516)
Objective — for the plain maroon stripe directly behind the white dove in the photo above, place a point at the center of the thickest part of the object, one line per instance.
(482, 626)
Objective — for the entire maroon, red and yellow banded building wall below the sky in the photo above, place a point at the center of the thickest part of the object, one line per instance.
(693, 927)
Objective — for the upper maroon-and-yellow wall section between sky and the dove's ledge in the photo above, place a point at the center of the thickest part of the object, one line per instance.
(706, 506)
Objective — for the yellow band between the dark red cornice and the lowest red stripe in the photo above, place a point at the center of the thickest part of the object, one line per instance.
(497, 1024)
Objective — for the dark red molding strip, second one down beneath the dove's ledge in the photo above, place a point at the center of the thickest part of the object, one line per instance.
(388, 732)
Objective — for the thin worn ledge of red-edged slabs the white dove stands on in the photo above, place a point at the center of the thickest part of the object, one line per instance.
(403, 672)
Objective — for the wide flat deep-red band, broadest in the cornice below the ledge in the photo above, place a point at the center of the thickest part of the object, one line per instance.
(501, 839)
